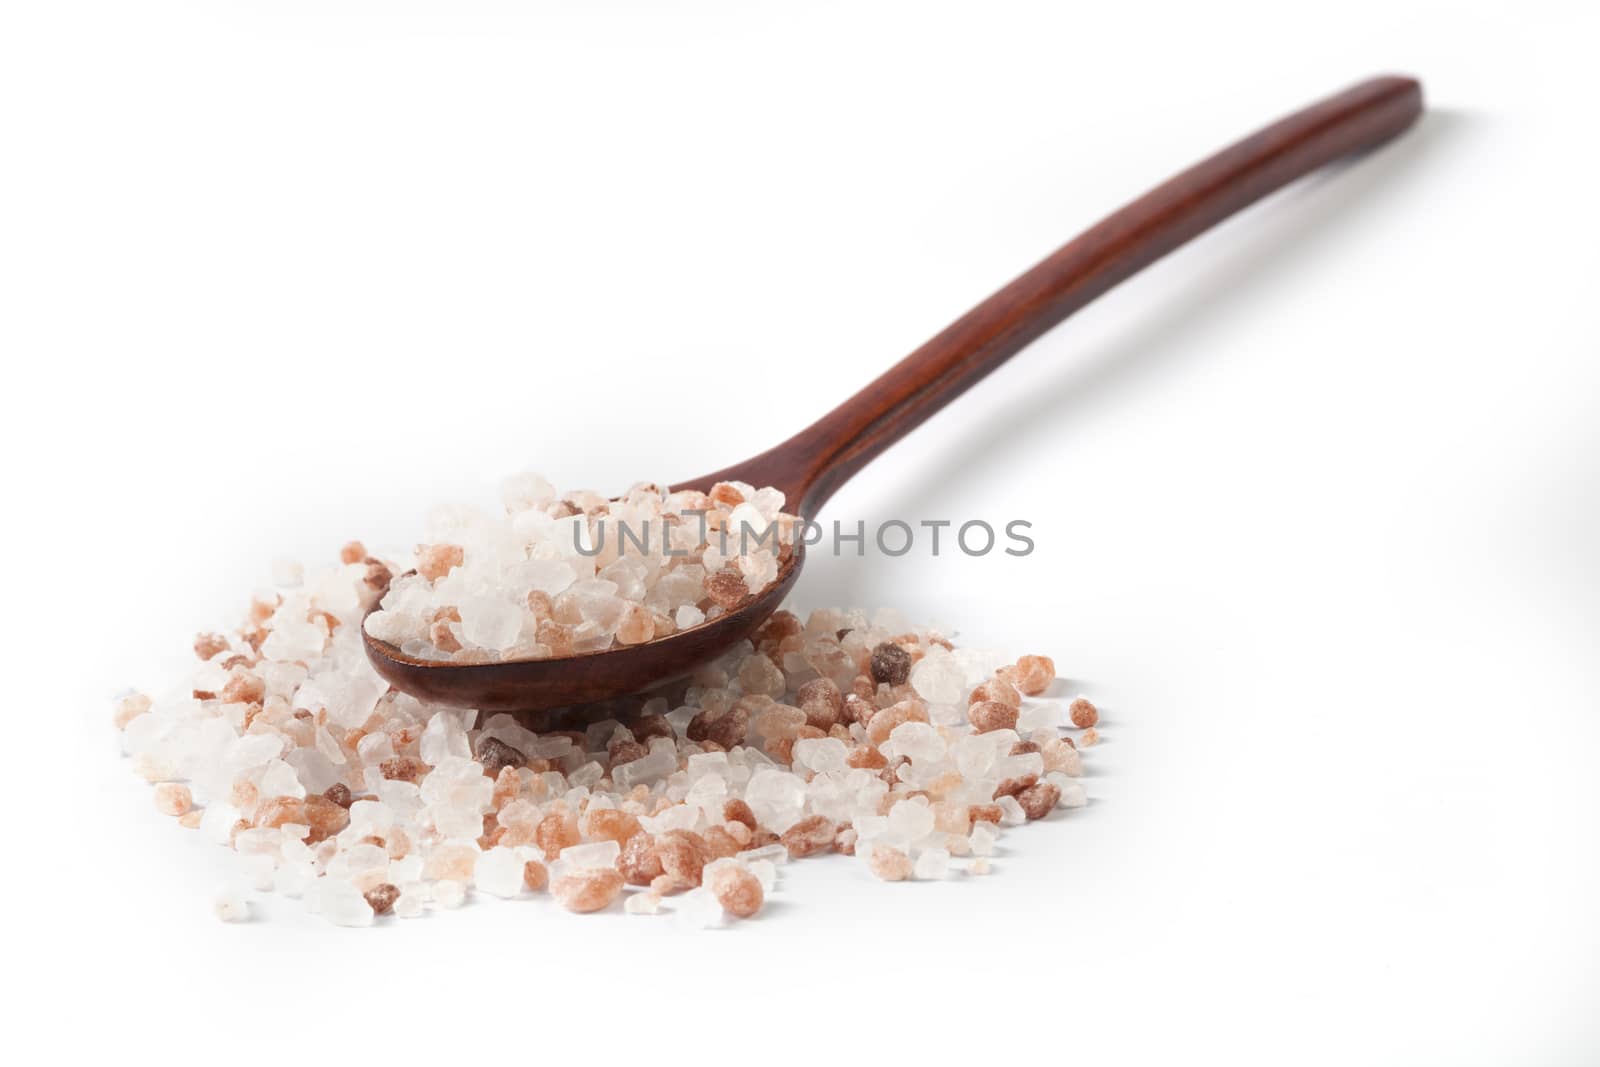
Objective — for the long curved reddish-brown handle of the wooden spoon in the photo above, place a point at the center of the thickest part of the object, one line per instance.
(810, 466)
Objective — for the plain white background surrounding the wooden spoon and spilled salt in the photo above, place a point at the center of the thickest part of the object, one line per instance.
(1314, 500)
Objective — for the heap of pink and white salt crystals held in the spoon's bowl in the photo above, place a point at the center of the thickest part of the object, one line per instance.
(580, 573)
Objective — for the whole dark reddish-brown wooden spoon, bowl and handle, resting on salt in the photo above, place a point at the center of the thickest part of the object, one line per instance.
(810, 466)
